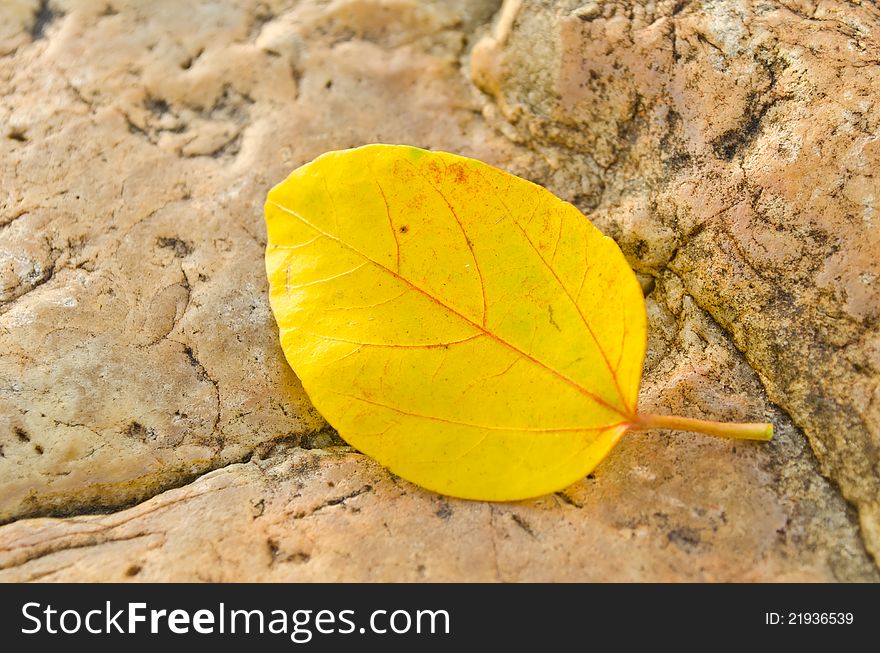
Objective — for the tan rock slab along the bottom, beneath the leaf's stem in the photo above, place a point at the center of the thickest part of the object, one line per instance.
(683, 507)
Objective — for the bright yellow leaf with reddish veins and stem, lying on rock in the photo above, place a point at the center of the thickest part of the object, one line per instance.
(464, 327)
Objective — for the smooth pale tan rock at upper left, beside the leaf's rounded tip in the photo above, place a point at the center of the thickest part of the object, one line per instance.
(139, 350)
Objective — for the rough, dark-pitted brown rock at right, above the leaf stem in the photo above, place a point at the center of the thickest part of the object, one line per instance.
(735, 145)
